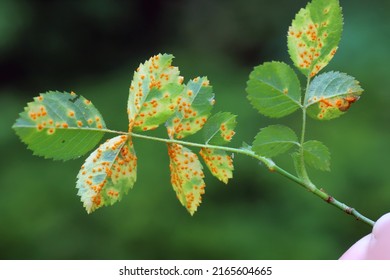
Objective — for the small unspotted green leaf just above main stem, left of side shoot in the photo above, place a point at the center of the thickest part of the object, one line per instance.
(274, 140)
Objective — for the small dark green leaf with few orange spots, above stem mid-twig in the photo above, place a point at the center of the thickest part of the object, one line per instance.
(219, 128)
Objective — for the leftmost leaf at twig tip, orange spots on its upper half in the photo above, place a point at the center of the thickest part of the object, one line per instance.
(60, 125)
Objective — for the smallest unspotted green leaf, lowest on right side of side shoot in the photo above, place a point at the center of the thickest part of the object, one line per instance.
(316, 155)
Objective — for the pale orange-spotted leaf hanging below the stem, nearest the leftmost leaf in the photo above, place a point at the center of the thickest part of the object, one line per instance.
(108, 173)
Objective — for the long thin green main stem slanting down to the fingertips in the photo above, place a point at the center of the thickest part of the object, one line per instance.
(272, 167)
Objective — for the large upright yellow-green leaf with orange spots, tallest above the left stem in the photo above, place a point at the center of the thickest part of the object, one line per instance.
(153, 92)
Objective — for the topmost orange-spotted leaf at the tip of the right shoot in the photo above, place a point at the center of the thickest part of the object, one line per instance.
(314, 35)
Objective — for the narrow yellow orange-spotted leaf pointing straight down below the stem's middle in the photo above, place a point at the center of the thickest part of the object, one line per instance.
(186, 176)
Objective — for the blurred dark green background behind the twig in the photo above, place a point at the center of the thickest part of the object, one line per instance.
(92, 47)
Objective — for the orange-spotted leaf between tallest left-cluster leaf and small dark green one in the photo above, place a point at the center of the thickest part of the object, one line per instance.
(193, 109)
